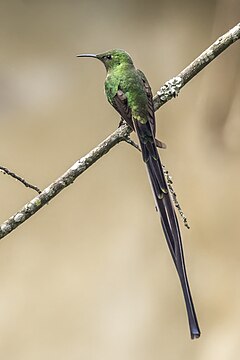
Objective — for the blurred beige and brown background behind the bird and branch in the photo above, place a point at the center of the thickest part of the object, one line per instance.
(90, 276)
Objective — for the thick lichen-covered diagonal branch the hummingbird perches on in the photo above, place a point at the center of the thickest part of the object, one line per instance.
(169, 90)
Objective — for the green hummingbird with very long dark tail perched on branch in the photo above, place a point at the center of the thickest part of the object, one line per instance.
(129, 92)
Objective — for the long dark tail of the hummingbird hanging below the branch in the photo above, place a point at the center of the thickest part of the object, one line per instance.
(167, 214)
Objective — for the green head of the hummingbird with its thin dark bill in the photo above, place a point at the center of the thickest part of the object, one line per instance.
(112, 58)
